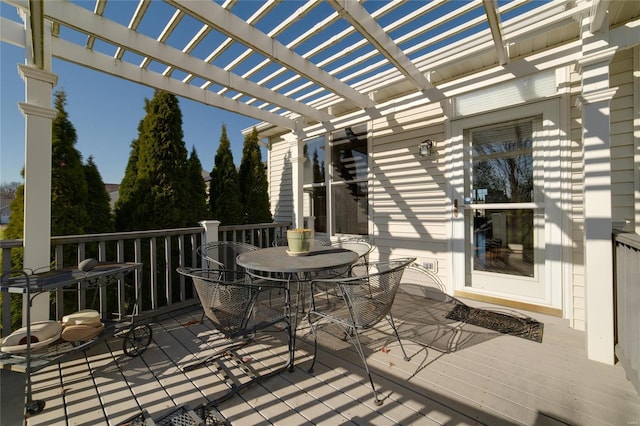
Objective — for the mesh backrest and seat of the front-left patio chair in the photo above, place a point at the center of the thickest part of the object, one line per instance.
(229, 299)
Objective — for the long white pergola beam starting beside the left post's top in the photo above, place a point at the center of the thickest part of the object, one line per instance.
(85, 21)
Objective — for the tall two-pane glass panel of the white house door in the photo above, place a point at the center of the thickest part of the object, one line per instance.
(504, 222)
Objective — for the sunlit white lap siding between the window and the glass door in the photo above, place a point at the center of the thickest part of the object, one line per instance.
(408, 193)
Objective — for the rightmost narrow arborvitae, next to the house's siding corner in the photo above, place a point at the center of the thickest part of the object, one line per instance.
(253, 182)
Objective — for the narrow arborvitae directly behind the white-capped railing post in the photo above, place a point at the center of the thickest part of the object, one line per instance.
(224, 190)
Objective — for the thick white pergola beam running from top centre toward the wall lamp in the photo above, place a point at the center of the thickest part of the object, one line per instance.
(362, 21)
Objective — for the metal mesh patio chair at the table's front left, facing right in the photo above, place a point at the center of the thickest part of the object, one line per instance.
(239, 307)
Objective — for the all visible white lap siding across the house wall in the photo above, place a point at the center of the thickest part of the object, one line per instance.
(409, 197)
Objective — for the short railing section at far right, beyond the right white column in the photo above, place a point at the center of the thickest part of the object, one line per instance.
(627, 289)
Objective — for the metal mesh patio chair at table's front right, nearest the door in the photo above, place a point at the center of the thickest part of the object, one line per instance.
(366, 300)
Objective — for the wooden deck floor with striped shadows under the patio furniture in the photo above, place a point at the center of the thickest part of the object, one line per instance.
(457, 374)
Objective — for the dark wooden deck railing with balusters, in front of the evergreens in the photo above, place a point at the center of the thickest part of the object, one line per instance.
(156, 285)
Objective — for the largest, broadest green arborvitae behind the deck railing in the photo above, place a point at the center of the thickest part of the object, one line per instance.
(154, 193)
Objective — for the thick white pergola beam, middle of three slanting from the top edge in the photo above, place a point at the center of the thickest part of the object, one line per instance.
(232, 26)
